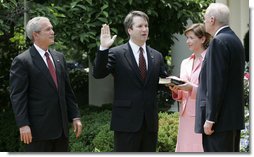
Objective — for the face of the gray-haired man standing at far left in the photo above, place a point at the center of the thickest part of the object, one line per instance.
(45, 37)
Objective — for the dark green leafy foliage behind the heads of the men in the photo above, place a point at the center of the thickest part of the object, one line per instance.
(77, 25)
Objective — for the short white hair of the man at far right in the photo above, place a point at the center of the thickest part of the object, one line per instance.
(220, 12)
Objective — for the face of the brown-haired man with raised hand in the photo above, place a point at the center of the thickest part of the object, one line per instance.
(139, 31)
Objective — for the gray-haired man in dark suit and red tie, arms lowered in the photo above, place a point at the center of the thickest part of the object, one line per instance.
(41, 95)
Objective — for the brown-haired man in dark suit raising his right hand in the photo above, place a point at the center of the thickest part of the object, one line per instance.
(136, 69)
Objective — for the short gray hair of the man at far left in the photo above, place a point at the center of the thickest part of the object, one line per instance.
(34, 25)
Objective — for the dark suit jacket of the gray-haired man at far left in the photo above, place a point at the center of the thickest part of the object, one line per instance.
(35, 99)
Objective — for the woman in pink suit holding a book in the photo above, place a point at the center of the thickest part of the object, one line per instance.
(197, 41)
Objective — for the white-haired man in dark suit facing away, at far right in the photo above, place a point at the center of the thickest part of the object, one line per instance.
(219, 105)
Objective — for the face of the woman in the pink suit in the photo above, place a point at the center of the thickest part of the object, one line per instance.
(194, 43)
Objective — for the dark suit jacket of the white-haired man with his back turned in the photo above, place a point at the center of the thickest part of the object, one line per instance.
(220, 91)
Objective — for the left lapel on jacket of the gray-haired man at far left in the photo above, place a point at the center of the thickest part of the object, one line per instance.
(40, 64)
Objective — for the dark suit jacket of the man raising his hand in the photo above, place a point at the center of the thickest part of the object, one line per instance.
(134, 99)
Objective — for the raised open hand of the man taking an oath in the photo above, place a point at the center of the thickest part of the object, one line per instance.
(105, 39)
